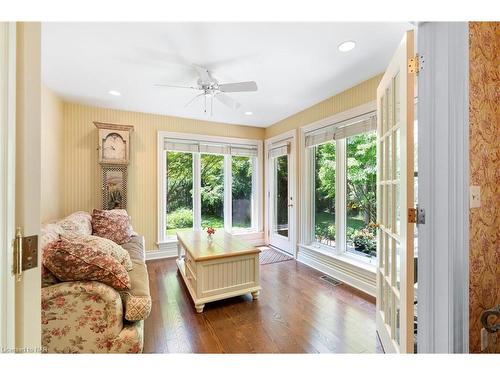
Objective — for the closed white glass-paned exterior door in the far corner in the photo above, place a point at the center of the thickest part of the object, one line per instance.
(281, 202)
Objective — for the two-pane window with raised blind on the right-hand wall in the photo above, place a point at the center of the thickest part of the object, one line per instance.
(342, 201)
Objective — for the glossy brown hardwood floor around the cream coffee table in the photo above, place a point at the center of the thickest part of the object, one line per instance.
(297, 312)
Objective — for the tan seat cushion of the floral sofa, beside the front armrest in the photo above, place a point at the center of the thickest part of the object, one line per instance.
(137, 300)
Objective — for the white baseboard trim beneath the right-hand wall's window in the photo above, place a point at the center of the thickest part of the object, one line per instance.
(356, 277)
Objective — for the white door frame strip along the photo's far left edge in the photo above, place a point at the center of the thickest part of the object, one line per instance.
(7, 180)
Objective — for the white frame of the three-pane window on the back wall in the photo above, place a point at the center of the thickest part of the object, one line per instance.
(166, 243)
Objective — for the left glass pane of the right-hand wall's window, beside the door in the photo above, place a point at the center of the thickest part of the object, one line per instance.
(324, 193)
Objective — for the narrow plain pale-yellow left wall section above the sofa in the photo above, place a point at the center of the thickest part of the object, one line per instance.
(51, 149)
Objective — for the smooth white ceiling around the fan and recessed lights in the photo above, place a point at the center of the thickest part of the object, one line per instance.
(295, 65)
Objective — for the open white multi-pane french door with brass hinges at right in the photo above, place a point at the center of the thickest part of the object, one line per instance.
(395, 279)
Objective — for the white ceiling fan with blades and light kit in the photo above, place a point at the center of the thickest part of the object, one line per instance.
(211, 89)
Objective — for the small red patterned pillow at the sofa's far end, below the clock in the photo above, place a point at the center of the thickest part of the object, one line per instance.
(111, 225)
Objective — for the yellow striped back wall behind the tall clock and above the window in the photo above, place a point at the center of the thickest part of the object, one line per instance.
(81, 170)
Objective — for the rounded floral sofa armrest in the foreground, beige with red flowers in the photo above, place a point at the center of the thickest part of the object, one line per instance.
(80, 316)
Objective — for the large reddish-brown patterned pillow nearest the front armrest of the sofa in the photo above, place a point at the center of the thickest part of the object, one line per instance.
(72, 261)
